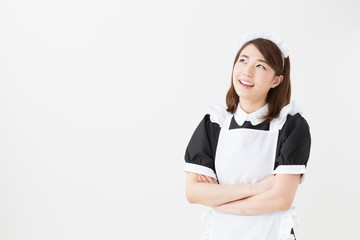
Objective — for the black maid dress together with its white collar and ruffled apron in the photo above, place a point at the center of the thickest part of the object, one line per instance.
(240, 148)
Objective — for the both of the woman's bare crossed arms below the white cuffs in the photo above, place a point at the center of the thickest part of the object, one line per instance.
(270, 194)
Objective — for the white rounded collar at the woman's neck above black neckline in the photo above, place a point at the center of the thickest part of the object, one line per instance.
(255, 118)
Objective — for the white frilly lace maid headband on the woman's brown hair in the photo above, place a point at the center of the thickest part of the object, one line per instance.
(267, 35)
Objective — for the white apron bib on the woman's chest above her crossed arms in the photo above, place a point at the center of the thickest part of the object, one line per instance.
(245, 155)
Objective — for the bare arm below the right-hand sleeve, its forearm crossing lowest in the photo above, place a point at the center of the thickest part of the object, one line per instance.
(280, 197)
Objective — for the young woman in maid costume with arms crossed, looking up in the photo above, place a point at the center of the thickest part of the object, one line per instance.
(246, 161)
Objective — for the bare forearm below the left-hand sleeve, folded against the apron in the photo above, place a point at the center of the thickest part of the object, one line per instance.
(216, 194)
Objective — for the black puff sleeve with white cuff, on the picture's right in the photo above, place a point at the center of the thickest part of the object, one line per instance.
(293, 148)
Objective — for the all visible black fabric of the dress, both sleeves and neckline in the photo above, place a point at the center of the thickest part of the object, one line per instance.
(293, 146)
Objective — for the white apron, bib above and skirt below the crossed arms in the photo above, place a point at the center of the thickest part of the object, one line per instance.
(246, 156)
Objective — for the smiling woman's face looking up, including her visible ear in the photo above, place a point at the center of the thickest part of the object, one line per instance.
(253, 77)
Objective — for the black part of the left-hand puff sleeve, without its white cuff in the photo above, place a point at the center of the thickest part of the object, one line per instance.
(201, 149)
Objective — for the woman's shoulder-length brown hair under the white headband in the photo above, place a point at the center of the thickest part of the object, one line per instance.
(277, 97)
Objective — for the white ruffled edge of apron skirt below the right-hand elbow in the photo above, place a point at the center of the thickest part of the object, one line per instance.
(288, 220)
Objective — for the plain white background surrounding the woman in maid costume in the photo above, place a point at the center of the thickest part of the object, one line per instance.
(98, 100)
